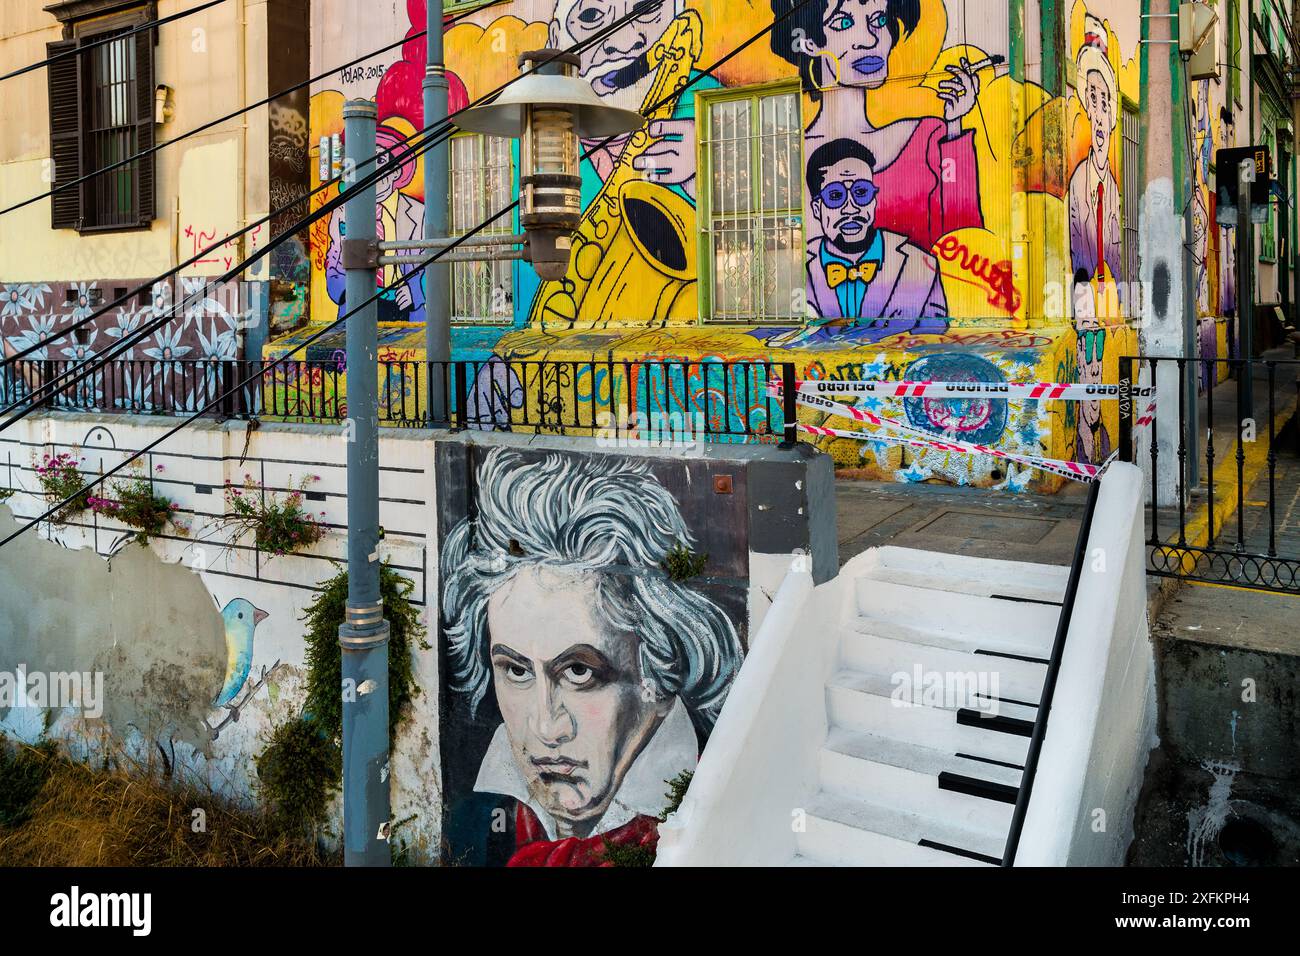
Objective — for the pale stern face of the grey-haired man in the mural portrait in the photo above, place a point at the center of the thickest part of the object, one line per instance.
(571, 695)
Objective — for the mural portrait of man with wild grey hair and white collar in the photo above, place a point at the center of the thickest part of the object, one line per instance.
(606, 674)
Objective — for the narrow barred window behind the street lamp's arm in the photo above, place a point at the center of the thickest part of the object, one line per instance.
(482, 183)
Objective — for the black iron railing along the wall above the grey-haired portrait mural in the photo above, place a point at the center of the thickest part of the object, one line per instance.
(649, 400)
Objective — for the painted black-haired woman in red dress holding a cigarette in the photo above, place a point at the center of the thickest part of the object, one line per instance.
(926, 167)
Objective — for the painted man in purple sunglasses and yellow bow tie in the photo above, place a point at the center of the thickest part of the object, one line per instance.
(856, 270)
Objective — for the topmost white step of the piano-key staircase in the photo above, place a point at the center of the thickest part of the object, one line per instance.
(964, 574)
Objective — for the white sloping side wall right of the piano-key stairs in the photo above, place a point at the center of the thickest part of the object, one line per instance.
(1103, 721)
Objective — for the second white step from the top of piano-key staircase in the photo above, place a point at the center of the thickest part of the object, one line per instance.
(1020, 628)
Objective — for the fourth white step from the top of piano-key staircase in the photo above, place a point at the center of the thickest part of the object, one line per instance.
(861, 702)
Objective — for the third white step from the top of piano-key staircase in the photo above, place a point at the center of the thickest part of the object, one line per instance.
(896, 663)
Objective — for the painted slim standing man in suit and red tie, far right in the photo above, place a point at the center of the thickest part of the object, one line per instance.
(1094, 193)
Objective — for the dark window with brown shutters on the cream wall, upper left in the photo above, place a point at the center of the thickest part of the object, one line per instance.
(101, 114)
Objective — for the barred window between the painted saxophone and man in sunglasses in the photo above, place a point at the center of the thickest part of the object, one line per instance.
(752, 206)
